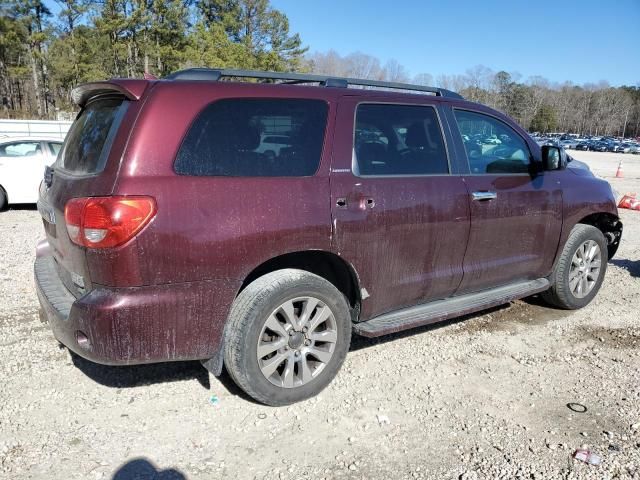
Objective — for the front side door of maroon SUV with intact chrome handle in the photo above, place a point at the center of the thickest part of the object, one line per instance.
(516, 210)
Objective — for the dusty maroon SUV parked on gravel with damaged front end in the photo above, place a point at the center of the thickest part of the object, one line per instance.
(174, 232)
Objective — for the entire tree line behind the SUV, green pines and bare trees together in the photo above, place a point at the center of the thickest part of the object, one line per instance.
(44, 55)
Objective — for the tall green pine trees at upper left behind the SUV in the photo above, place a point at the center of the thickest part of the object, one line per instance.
(43, 56)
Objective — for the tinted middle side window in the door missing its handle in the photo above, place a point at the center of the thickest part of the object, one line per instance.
(398, 140)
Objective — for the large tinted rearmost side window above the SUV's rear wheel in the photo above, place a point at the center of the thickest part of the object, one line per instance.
(255, 138)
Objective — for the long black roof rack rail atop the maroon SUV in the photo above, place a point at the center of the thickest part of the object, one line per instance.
(214, 74)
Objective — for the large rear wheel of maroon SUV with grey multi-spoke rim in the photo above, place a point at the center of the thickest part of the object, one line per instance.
(287, 336)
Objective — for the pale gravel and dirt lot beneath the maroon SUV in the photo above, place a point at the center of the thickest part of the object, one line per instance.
(483, 397)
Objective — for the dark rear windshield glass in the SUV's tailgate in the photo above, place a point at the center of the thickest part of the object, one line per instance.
(88, 142)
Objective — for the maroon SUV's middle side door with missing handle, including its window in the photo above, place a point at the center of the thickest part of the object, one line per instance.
(401, 218)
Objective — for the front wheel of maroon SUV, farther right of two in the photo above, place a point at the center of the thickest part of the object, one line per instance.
(580, 270)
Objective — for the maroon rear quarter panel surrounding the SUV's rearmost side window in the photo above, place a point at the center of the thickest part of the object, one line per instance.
(212, 227)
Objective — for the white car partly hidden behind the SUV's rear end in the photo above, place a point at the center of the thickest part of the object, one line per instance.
(22, 163)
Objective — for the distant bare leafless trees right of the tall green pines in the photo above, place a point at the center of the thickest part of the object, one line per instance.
(535, 103)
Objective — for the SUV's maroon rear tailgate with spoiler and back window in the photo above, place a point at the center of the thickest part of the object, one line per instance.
(87, 166)
